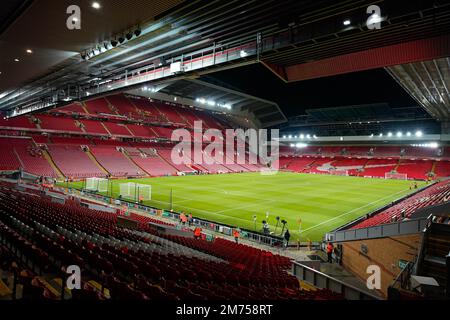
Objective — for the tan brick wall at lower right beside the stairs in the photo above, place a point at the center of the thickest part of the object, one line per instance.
(385, 253)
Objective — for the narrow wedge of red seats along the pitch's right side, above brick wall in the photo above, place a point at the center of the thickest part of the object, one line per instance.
(435, 194)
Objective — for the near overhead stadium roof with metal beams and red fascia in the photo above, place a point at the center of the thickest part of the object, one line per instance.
(296, 40)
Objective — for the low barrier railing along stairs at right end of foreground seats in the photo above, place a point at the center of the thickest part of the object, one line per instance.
(324, 281)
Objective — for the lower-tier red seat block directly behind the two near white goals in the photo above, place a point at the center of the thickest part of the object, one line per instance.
(115, 162)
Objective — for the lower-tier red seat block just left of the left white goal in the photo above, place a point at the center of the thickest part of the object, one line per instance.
(73, 162)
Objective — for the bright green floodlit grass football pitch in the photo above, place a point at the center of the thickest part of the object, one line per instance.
(321, 202)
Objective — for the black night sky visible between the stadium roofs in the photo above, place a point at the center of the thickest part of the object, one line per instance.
(355, 88)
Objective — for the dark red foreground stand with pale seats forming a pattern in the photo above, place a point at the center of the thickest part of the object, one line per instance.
(142, 265)
